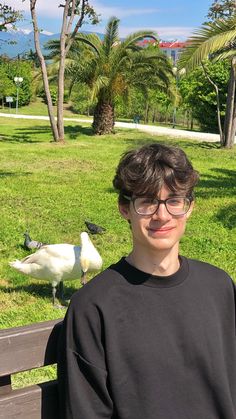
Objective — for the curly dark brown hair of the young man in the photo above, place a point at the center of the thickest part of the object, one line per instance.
(143, 172)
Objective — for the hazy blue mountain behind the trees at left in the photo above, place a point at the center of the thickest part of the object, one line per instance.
(14, 43)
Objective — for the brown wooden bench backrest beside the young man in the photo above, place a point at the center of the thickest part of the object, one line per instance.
(21, 349)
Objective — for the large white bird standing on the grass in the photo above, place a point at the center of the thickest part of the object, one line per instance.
(61, 262)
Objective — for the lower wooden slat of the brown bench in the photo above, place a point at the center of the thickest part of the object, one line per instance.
(35, 402)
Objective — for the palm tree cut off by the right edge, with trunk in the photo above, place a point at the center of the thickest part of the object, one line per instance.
(216, 41)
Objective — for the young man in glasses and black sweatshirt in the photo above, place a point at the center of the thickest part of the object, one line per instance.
(153, 336)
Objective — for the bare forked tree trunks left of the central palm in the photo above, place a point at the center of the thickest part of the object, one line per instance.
(74, 13)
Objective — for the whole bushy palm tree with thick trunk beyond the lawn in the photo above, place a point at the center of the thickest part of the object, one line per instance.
(111, 66)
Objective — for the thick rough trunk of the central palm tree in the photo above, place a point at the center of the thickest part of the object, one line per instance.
(103, 120)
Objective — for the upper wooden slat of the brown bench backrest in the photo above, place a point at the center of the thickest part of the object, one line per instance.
(32, 346)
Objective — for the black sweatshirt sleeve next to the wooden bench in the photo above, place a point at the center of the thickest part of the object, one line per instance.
(82, 375)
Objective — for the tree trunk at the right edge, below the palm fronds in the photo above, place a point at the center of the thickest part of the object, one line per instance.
(230, 115)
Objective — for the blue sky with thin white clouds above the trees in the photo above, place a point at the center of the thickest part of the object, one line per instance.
(172, 19)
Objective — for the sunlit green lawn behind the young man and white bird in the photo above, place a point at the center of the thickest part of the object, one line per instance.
(52, 189)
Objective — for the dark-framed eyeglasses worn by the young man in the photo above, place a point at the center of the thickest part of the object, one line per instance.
(176, 205)
